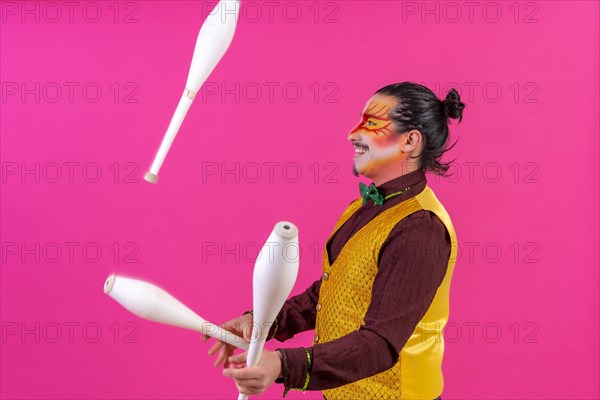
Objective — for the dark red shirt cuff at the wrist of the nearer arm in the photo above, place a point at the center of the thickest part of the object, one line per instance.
(296, 367)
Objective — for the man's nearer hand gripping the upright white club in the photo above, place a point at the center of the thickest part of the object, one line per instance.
(256, 379)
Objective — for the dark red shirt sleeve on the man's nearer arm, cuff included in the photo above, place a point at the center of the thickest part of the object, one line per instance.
(412, 264)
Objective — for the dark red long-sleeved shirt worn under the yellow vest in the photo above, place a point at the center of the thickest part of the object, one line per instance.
(412, 264)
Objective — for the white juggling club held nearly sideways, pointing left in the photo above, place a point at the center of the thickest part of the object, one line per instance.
(150, 302)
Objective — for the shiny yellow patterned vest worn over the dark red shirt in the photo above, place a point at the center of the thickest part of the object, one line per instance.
(345, 295)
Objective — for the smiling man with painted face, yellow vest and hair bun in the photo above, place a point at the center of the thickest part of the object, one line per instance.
(383, 299)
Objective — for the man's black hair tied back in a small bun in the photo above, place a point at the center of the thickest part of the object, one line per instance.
(419, 108)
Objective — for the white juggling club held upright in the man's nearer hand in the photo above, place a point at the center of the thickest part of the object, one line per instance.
(275, 273)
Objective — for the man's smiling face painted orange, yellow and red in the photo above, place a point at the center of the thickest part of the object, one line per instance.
(377, 145)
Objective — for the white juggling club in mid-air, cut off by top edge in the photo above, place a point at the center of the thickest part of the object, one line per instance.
(213, 41)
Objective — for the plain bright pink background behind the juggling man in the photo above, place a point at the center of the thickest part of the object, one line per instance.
(524, 306)
